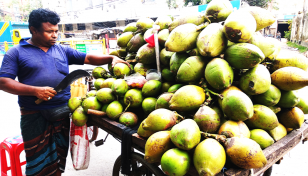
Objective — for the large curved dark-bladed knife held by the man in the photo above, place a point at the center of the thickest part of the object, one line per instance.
(70, 78)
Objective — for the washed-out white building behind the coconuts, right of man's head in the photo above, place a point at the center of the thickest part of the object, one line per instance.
(83, 16)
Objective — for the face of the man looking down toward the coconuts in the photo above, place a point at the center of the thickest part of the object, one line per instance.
(48, 34)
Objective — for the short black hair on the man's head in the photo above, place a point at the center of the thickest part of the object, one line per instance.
(39, 16)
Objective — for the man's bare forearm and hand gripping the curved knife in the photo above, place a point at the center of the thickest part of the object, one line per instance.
(14, 87)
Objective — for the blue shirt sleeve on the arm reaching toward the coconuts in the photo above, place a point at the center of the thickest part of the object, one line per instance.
(74, 56)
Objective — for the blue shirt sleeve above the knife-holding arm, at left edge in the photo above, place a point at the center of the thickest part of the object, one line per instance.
(9, 67)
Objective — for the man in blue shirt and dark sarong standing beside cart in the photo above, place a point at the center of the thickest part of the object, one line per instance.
(40, 64)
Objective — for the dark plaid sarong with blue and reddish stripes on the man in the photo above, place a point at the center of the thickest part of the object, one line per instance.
(46, 144)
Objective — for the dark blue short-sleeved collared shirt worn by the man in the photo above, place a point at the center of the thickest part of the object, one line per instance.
(32, 66)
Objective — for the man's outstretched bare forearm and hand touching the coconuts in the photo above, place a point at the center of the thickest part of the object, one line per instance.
(103, 59)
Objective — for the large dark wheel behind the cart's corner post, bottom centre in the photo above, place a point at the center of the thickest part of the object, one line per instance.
(139, 167)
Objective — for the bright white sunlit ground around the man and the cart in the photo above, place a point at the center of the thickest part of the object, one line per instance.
(103, 157)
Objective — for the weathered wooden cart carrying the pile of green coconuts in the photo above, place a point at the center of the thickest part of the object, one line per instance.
(273, 153)
